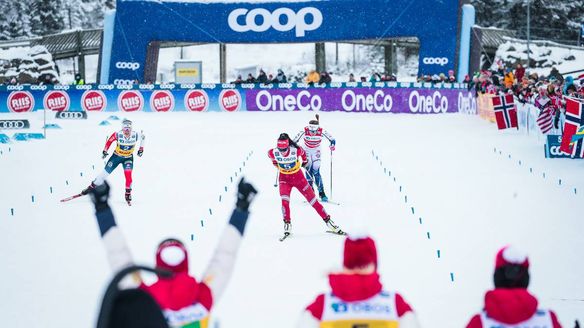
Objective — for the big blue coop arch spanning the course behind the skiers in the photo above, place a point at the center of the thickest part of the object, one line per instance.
(434, 23)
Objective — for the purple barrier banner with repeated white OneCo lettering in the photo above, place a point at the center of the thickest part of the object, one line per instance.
(365, 100)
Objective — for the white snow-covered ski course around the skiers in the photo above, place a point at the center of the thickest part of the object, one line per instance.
(471, 200)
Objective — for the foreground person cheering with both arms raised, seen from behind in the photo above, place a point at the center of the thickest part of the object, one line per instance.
(183, 300)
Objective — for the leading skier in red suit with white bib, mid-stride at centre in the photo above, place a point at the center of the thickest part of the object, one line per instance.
(288, 158)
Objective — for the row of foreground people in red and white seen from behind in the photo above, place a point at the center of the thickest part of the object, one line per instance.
(356, 297)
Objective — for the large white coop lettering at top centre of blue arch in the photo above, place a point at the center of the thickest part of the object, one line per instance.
(292, 20)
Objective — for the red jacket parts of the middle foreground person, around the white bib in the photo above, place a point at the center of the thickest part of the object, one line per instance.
(355, 287)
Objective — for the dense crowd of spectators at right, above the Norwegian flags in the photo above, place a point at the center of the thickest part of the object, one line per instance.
(546, 92)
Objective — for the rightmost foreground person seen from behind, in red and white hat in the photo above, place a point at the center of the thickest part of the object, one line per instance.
(510, 304)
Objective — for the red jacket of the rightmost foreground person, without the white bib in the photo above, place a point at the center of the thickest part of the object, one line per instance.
(509, 306)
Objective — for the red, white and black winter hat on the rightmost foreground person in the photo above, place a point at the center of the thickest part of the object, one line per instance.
(511, 268)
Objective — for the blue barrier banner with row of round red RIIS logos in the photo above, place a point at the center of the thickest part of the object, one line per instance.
(107, 98)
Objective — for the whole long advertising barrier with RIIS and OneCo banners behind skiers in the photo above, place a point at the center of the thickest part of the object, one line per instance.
(379, 97)
